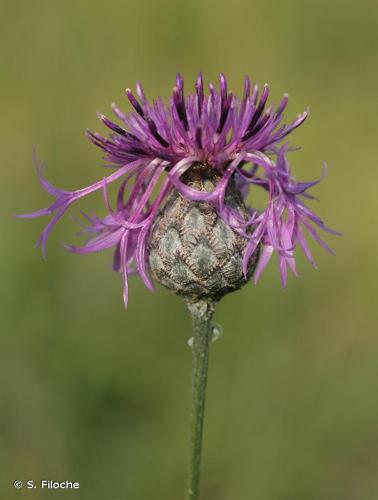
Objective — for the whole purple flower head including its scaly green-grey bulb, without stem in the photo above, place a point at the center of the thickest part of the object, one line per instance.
(185, 170)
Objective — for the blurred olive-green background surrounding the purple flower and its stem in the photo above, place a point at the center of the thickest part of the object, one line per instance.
(92, 393)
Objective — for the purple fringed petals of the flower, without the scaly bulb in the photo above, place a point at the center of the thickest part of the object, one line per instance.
(159, 142)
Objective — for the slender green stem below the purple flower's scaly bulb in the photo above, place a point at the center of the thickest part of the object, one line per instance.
(201, 312)
